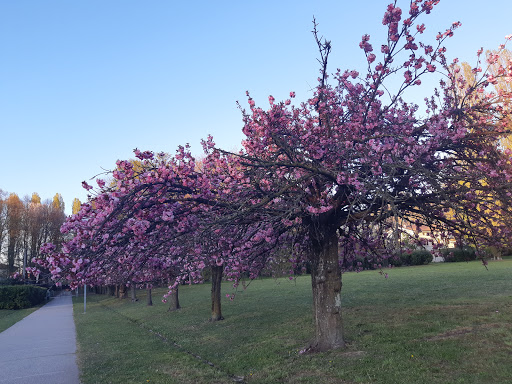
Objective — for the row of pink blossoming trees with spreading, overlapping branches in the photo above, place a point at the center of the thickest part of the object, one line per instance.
(322, 182)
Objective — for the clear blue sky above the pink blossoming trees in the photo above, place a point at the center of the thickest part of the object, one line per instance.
(83, 83)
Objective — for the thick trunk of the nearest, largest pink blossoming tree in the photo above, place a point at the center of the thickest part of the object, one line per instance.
(326, 283)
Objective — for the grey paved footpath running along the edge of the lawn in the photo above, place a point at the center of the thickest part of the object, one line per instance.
(41, 348)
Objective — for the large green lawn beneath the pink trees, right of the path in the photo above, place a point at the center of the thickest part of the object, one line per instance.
(442, 323)
